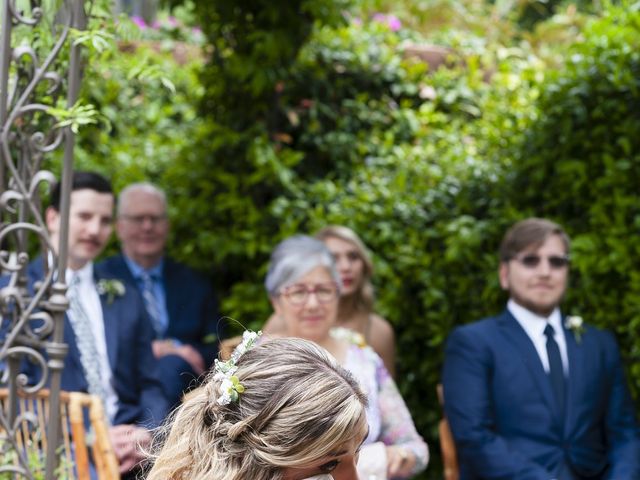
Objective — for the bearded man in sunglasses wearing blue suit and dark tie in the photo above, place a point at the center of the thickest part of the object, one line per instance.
(528, 396)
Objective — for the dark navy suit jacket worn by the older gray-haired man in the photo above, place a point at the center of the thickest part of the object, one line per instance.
(191, 304)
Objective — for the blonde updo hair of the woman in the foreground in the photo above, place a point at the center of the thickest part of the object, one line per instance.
(298, 407)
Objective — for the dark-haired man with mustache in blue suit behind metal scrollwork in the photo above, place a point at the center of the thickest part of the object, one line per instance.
(106, 327)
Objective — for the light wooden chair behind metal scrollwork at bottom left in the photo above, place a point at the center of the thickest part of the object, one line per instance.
(77, 446)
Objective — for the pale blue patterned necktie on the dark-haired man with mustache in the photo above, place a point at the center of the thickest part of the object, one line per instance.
(85, 340)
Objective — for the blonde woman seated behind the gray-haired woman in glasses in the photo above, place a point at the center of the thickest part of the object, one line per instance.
(355, 307)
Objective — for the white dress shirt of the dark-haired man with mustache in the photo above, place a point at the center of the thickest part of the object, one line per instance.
(90, 301)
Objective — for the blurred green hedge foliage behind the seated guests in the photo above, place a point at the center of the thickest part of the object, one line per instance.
(296, 115)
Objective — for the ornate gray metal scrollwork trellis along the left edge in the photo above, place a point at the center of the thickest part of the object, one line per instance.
(34, 76)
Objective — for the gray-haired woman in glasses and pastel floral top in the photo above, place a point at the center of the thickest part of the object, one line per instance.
(304, 286)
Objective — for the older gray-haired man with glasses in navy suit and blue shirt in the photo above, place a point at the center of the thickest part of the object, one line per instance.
(179, 301)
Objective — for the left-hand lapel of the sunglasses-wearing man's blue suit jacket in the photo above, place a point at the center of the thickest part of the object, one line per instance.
(528, 354)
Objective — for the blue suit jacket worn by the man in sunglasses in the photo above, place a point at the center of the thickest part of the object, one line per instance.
(503, 416)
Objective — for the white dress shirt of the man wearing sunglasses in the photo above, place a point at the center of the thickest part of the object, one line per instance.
(534, 326)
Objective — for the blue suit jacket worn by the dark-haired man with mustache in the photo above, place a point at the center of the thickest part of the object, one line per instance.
(128, 333)
